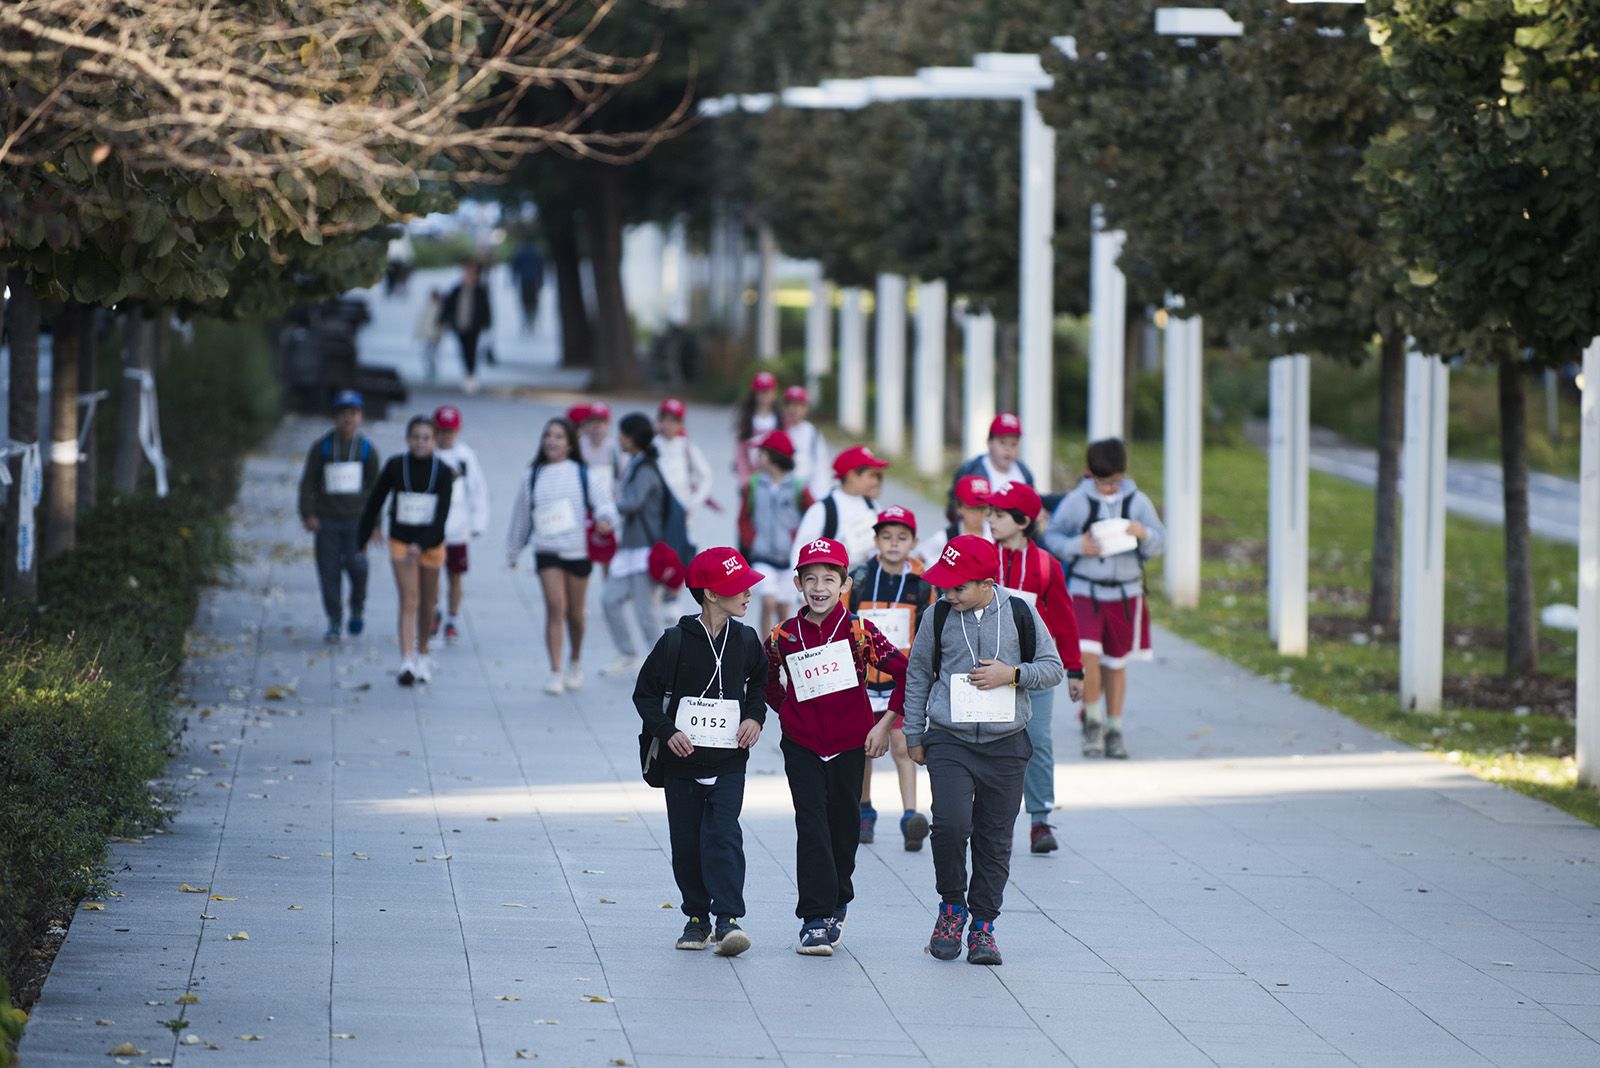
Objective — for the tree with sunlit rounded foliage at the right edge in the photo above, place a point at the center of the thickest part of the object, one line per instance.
(1486, 180)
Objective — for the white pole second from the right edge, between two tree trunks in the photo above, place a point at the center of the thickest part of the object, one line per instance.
(1423, 535)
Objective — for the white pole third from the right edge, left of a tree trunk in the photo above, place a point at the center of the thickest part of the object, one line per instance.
(1289, 463)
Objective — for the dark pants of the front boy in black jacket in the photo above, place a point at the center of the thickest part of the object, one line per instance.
(708, 847)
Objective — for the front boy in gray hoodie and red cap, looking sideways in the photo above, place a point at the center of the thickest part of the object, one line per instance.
(967, 711)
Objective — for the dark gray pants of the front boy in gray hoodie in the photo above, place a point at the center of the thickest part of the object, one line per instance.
(975, 799)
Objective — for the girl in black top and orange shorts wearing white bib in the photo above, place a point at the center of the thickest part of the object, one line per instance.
(422, 487)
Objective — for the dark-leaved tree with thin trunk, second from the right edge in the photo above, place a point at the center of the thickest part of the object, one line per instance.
(1231, 164)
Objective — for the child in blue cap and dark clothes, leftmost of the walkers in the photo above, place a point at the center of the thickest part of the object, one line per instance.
(342, 469)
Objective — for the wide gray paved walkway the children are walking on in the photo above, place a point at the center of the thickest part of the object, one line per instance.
(473, 872)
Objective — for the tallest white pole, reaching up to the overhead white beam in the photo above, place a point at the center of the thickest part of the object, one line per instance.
(1036, 293)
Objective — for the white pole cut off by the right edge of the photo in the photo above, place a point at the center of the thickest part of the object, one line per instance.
(1590, 576)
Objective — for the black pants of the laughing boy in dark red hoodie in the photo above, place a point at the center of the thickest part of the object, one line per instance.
(828, 826)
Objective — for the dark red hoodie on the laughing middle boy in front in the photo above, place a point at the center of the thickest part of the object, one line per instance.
(839, 722)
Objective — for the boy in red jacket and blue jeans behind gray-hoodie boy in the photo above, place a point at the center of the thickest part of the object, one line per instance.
(1034, 575)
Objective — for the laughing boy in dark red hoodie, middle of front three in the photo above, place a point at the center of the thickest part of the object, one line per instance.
(818, 685)
